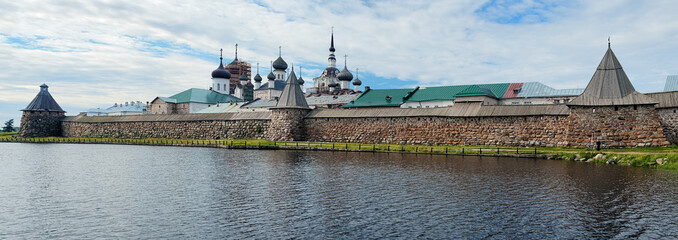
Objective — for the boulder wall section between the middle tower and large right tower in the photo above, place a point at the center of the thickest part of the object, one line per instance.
(505, 131)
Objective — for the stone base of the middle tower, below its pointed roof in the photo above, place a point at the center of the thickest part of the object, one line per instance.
(287, 124)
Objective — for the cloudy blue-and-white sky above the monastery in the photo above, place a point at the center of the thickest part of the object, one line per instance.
(97, 53)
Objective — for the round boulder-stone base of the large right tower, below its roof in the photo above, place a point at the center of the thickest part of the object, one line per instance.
(615, 126)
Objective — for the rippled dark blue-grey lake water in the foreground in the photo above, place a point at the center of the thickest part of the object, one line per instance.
(124, 191)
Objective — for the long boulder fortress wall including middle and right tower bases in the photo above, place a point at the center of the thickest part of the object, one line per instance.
(624, 126)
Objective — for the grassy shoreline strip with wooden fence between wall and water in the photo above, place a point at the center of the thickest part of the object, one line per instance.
(651, 157)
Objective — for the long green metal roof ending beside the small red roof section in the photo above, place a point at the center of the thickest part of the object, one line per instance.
(446, 93)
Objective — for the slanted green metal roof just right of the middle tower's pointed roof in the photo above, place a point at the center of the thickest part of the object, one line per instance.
(381, 98)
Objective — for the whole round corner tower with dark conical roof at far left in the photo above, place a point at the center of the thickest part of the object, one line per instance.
(42, 117)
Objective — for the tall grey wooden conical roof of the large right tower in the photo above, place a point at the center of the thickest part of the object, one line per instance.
(610, 86)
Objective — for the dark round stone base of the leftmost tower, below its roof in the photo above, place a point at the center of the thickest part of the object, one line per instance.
(40, 124)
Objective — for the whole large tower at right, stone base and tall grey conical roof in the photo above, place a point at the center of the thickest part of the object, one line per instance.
(611, 113)
